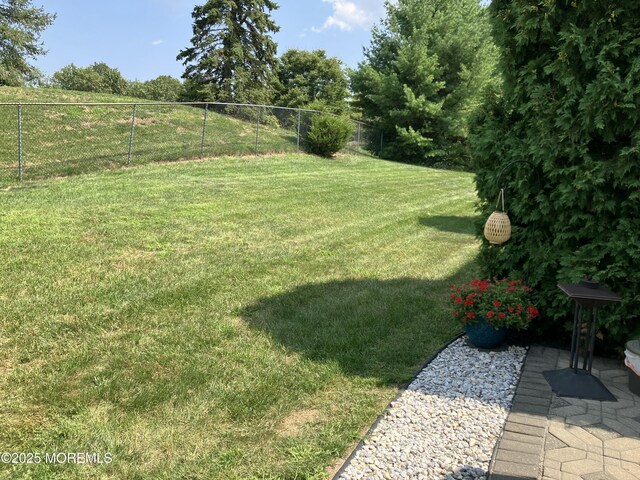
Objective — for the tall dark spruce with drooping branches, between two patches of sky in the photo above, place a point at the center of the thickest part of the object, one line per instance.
(232, 56)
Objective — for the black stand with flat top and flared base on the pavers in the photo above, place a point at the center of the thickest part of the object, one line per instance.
(574, 381)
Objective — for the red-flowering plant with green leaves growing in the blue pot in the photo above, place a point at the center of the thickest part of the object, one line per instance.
(502, 303)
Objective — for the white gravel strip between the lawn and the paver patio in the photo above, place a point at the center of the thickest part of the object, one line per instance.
(446, 424)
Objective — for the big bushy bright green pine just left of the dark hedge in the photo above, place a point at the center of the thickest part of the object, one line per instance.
(424, 74)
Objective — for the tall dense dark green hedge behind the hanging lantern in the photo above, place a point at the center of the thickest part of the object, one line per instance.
(569, 105)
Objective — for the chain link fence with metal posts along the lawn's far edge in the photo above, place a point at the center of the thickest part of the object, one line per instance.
(41, 140)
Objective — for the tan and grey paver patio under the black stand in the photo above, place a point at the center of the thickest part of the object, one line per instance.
(547, 437)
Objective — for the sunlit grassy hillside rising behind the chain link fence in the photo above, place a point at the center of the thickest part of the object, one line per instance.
(64, 140)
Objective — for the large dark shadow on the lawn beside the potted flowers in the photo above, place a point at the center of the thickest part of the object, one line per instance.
(380, 329)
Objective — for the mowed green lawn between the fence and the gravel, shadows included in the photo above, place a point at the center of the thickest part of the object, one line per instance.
(230, 318)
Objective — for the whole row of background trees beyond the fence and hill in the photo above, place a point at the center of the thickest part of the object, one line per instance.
(421, 78)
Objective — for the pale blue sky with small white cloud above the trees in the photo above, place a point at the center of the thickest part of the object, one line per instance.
(141, 38)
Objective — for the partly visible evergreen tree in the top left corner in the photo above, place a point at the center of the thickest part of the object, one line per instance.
(20, 27)
